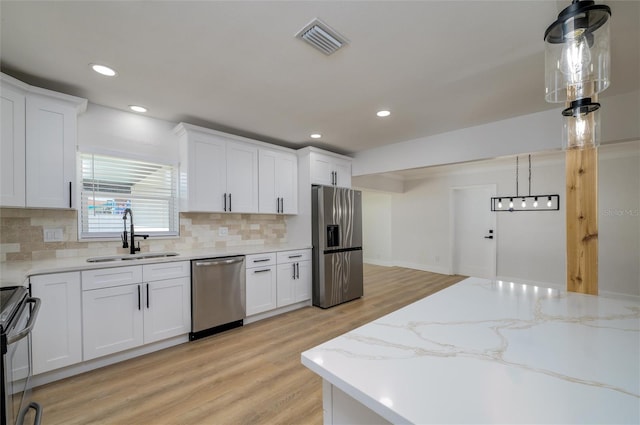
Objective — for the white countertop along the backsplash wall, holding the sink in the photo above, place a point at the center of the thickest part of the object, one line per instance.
(17, 272)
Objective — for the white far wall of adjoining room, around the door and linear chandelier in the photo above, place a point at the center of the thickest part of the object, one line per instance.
(530, 245)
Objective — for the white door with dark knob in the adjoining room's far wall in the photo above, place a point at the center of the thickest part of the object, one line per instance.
(473, 231)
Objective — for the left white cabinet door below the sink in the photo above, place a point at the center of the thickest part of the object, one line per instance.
(112, 320)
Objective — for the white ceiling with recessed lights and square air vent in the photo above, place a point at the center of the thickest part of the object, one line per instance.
(236, 66)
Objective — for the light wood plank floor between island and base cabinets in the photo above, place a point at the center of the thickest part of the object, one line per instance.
(249, 375)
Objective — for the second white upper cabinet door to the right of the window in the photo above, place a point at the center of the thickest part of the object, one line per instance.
(242, 178)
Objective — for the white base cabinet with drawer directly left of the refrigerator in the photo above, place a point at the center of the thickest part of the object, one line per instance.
(294, 276)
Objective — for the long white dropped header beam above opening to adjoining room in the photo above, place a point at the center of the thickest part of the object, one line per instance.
(539, 132)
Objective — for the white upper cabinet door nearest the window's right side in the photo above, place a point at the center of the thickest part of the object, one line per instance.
(207, 174)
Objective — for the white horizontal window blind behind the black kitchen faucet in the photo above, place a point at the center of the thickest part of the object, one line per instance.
(111, 184)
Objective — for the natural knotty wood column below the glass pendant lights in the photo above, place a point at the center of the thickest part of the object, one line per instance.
(582, 220)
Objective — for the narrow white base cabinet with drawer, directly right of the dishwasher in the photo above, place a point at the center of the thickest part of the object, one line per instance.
(261, 282)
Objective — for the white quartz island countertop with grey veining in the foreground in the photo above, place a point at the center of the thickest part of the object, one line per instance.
(493, 352)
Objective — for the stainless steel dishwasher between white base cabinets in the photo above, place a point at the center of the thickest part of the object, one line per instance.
(217, 295)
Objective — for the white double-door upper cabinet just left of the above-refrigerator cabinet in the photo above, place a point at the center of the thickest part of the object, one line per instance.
(278, 182)
